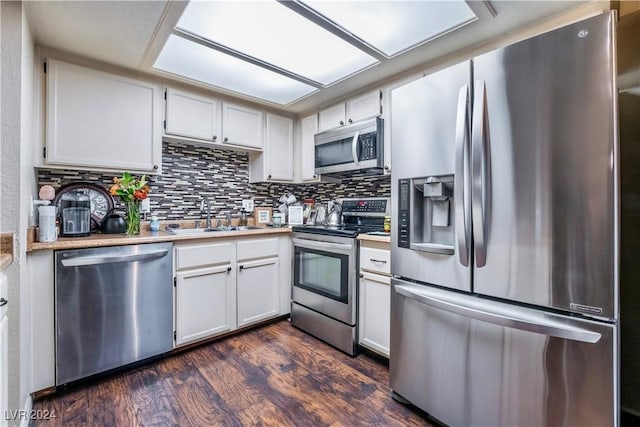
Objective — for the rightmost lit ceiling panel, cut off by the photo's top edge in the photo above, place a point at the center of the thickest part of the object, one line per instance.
(395, 26)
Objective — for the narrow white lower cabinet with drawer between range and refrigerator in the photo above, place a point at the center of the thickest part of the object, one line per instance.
(374, 300)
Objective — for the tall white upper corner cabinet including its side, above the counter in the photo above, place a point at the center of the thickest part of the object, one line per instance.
(275, 163)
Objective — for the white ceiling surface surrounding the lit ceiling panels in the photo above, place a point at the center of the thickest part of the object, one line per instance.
(130, 34)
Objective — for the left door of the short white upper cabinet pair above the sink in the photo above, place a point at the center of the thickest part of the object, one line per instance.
(192, 116)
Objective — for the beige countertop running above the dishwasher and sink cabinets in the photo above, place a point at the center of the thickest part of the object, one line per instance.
(145, 236)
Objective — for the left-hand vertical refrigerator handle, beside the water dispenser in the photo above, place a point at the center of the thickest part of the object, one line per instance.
(460, 178)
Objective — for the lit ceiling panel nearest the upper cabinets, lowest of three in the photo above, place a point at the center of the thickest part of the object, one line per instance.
(197, 62)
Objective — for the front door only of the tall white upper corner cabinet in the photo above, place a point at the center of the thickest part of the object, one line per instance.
(279, 148)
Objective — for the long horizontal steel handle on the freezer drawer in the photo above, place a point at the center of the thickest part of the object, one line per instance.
(538, 323)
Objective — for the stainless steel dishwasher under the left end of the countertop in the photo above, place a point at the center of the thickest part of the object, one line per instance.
(113, 306)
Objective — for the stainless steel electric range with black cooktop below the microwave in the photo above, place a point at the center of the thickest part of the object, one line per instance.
(325, 272)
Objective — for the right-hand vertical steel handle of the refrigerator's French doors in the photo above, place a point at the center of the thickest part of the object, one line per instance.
(480, 173)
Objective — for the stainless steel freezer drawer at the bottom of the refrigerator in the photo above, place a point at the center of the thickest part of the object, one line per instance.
(468, 361)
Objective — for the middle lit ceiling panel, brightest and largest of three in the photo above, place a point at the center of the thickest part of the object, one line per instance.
(272, 33)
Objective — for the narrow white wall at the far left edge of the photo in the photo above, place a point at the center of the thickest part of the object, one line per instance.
(17, 180)
